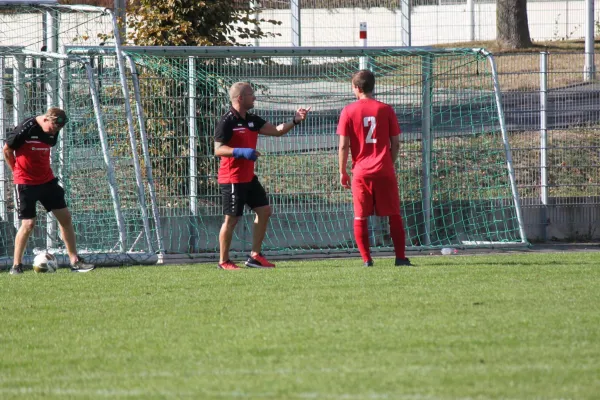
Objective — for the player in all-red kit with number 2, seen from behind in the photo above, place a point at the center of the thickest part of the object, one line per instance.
(369, 129)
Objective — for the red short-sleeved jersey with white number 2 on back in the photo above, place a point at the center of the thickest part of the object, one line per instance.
(369, 124)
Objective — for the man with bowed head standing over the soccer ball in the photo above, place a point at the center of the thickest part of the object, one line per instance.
(27, 152)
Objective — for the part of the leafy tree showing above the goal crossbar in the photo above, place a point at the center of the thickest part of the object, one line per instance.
(192, 23)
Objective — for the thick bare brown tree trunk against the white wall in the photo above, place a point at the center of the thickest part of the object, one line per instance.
(512, 28)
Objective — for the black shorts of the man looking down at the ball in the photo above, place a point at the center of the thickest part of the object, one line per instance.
(50, 194)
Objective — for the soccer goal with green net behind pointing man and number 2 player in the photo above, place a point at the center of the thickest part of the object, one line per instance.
(455, 172)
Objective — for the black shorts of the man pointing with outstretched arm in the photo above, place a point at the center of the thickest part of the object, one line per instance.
(236, 195)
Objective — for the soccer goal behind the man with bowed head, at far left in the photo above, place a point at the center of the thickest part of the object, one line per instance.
(93, 165)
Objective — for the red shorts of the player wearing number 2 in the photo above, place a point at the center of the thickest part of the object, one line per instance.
(379, 194)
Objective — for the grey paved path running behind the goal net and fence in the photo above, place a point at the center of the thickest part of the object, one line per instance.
(574, 106)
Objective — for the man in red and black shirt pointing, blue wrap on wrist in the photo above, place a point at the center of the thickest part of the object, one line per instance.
(236, 136)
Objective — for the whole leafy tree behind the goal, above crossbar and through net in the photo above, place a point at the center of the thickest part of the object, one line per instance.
(186, 23)
